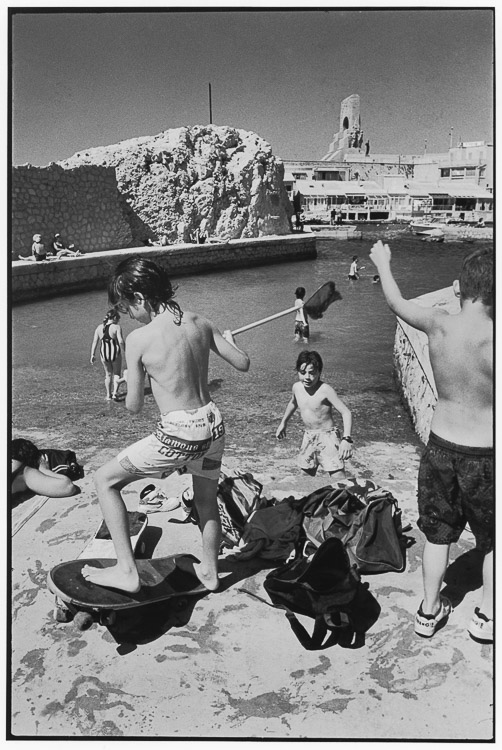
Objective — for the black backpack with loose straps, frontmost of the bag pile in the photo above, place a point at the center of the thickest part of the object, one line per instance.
(328, 589)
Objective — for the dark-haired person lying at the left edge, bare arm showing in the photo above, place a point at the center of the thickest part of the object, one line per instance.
(30, 472)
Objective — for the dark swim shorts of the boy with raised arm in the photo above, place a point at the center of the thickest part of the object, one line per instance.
(456, 487)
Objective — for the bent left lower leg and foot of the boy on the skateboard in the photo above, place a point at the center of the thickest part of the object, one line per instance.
(109, 480)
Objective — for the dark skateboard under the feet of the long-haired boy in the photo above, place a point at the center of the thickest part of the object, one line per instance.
(161, 579)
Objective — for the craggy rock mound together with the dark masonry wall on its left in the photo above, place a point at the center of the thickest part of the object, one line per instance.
(216, 180)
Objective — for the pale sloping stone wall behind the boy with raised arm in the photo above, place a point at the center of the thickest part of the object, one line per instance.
(412, 365)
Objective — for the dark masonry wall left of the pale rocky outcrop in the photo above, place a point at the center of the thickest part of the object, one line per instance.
(82, 204)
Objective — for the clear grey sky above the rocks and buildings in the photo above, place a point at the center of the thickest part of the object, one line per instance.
(93, 78)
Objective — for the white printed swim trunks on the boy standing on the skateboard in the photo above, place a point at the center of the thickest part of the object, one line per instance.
(191, 440)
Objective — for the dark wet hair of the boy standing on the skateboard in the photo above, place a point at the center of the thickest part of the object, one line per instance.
(138, 275)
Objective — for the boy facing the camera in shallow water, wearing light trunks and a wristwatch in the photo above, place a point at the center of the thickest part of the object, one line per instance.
(316, 400)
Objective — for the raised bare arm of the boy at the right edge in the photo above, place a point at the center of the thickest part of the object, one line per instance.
(419, 317)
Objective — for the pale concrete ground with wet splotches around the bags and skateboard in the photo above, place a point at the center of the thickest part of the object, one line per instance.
(227, 665)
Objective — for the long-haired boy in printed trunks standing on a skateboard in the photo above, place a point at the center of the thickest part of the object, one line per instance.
(173, 347)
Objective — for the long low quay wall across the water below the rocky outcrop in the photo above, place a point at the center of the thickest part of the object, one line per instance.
(31, 280)
